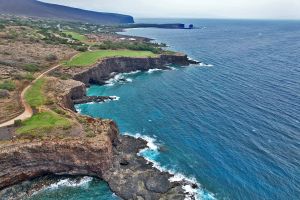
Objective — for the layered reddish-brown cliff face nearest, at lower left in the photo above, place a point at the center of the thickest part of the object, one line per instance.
(22, 160)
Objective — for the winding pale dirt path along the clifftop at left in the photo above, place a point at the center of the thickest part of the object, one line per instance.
(28, 111)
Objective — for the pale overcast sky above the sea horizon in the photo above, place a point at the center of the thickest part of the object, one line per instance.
(240, 9)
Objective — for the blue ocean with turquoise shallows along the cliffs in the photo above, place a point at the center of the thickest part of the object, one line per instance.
(231, 124)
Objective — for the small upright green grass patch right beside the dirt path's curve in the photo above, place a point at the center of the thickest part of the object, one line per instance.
(34, 95)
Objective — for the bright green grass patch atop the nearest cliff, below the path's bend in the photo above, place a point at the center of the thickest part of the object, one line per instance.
(41, 123)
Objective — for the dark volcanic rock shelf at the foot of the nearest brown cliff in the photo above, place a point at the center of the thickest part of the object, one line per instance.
(138, 179)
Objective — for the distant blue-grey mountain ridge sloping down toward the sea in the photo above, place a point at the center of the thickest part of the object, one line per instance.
(36, 8)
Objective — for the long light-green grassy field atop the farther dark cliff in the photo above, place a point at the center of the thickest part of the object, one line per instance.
(91, 57)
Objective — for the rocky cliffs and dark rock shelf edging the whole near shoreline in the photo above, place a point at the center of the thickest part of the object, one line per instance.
(107, 155)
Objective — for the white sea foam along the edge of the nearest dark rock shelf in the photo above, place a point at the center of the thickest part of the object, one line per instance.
(152, 151)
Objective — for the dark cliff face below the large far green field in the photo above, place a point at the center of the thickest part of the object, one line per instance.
(103, 70)
